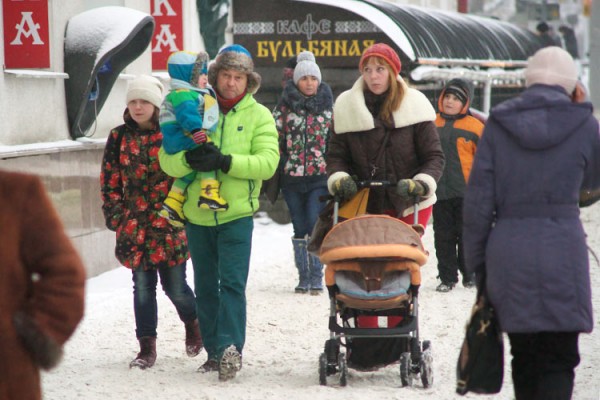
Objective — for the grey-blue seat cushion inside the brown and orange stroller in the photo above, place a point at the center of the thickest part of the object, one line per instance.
(393, 284)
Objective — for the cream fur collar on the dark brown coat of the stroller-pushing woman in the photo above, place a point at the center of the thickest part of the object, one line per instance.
(352, 115)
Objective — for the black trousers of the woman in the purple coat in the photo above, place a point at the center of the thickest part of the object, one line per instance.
(543, 364)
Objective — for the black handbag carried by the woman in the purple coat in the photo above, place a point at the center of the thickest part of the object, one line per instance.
(480, 366)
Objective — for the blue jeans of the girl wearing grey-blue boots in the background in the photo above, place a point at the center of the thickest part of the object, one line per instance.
(304, 208)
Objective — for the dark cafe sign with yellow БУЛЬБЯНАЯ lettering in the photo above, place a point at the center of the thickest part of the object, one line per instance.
(275, 30)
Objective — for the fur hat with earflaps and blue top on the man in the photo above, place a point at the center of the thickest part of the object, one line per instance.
(237, 58)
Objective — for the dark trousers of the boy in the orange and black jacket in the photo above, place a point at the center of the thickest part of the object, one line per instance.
(447, 226)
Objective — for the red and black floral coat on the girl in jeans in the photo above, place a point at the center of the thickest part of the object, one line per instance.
(133, 189)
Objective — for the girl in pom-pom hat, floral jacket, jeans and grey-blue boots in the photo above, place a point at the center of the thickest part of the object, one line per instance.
(303, 118)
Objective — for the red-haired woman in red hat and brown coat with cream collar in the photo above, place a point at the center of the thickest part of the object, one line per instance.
(385, 130)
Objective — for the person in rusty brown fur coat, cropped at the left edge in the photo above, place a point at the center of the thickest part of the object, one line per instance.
(42, 282)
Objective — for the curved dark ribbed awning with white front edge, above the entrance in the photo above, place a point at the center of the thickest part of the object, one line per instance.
(427, 36)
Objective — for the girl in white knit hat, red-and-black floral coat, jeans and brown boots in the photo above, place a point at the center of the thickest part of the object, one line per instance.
(133, 190)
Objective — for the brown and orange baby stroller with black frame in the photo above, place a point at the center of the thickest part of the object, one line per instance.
(373, 277)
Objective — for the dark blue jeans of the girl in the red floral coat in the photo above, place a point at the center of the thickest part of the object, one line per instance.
(145, 308)
